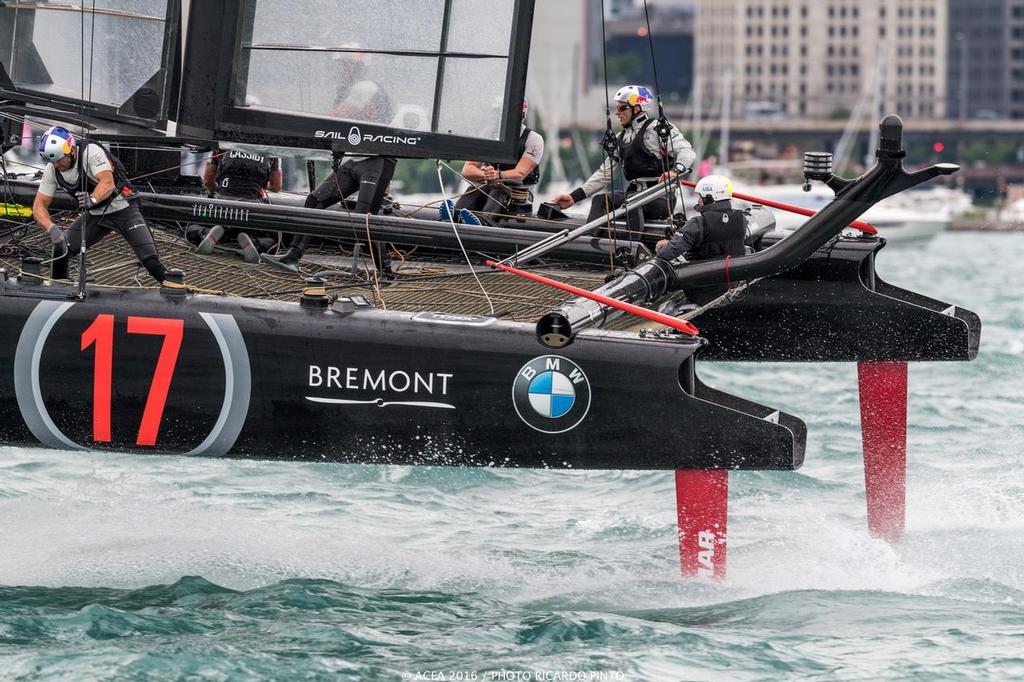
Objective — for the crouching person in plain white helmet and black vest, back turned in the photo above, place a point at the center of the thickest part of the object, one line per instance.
(718, 231)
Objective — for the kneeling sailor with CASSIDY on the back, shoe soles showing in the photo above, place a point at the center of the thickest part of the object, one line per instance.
(240, 177)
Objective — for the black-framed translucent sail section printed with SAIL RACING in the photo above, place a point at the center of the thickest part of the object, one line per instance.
(431, 79)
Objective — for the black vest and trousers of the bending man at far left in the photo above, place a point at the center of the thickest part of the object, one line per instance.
(127, 222)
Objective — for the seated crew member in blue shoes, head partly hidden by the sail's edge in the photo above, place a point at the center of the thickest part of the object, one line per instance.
(505, 189)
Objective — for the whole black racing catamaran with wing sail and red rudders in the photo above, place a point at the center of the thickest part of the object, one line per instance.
(485, 364)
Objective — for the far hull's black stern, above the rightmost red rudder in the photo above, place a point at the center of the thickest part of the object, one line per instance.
(834, 308)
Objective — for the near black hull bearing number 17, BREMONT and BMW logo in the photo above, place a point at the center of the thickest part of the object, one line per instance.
(350, 383)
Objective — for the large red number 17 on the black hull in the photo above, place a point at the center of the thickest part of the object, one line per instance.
(101, 334)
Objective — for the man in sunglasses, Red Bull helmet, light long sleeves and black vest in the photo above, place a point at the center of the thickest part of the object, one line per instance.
(644, 157)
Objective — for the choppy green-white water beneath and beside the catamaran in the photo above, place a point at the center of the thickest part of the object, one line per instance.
(127, 568)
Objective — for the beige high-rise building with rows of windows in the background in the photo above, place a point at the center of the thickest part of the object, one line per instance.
(823, 59)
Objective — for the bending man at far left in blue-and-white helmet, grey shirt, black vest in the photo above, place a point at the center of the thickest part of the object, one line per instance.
(107, 200)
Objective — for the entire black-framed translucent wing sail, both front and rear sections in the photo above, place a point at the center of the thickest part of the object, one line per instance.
(441, 79)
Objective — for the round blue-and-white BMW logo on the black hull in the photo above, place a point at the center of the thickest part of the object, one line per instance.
(551, 395)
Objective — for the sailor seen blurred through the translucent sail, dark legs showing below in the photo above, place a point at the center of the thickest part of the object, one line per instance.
(360, 100)
